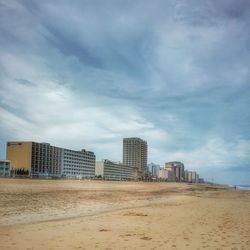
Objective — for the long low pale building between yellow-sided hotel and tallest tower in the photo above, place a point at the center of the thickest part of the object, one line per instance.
(110, 170)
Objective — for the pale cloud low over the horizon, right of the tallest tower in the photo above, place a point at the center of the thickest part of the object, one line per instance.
(218, 160)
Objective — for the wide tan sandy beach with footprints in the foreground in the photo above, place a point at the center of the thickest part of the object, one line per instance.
(66, 214)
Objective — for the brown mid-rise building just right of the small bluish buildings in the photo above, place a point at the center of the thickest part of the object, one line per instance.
(176, 171)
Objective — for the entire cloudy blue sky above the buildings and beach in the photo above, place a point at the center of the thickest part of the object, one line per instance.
(87, 73)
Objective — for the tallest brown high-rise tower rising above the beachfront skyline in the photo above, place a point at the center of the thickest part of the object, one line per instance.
(135, 153)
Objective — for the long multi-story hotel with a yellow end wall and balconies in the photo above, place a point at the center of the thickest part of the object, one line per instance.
(42, 159)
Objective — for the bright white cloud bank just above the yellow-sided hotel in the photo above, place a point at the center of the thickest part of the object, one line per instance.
(53, 112)
